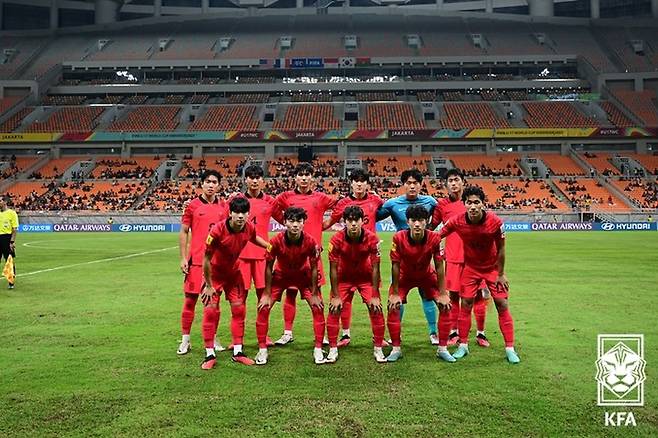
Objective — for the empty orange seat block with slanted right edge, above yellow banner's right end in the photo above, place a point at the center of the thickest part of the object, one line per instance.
(555, 115)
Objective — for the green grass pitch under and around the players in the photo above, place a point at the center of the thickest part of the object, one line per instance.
(89, 350)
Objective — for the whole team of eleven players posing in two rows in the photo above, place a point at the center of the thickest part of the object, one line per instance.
(224, 246)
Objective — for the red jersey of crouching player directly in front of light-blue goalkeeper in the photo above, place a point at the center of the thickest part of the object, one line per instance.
(415, 258)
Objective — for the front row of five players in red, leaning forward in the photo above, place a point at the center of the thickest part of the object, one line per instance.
(292, 259)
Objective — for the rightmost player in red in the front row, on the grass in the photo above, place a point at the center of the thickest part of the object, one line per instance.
(484, 261)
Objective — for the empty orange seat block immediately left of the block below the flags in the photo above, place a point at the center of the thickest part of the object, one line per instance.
(224, 118)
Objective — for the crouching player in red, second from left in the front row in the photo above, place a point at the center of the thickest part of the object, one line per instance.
(296, 254)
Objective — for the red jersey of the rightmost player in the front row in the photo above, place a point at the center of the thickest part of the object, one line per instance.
(480, 240)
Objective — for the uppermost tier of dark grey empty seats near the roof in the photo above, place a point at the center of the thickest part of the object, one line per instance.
(342, 43)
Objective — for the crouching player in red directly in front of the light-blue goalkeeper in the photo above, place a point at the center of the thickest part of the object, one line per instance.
(412, 252)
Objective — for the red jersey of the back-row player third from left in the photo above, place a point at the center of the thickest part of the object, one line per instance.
(315, 204)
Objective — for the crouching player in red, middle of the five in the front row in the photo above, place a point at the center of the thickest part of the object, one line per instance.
(354, 264)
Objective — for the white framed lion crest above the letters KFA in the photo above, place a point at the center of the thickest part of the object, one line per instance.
(620, 370)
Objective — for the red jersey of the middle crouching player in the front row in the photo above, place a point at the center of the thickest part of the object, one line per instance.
(354, 258)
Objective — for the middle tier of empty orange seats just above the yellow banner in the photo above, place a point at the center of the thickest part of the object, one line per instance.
(636, 109)
